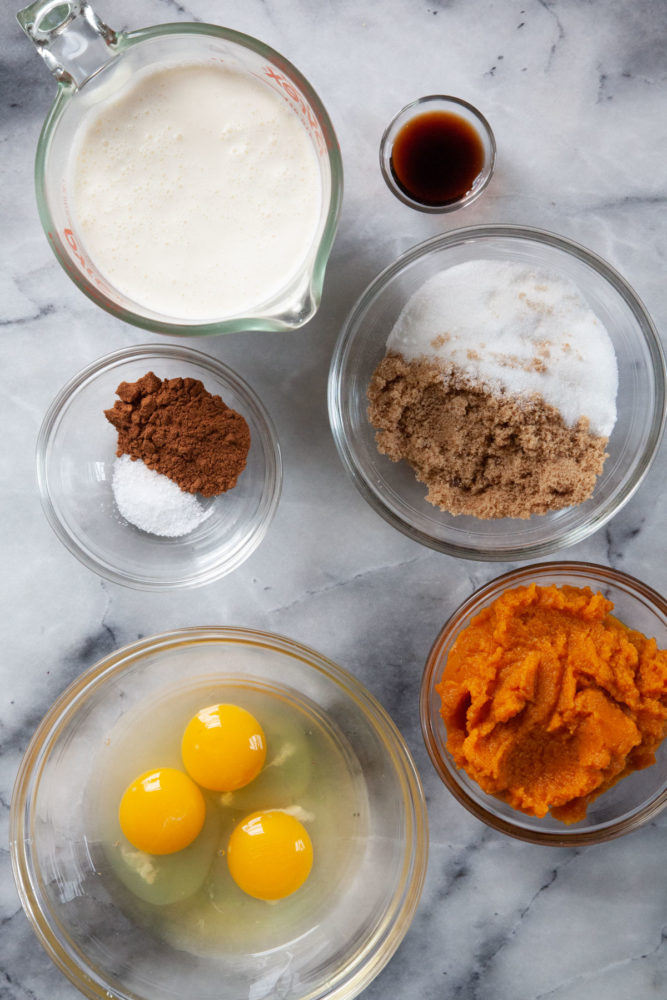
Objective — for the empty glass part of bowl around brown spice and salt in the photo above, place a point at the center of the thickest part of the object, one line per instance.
(76, 450)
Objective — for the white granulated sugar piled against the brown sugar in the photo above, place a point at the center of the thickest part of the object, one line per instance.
(517, 330)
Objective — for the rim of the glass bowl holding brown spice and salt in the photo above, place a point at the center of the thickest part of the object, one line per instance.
(272, 475)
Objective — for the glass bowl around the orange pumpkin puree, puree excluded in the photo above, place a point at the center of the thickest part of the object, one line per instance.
(632, 802)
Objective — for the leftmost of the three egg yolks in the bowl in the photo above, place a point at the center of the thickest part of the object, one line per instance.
(162, 811)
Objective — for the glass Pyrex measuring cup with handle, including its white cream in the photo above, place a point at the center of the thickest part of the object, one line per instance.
(188, 177)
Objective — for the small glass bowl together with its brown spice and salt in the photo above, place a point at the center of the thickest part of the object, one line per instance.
(159, 468)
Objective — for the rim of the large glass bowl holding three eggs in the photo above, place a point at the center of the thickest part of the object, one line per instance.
(380, 948)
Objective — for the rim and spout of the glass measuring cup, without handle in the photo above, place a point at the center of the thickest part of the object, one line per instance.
(236, 324)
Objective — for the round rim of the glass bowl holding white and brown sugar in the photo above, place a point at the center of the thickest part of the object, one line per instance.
(472, 234)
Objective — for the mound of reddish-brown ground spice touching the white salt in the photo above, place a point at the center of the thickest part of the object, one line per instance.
(178, 428)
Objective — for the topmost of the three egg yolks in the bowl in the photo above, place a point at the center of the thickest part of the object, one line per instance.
(223, 748)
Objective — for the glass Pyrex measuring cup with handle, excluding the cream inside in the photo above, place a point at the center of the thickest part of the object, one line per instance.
(92, 63)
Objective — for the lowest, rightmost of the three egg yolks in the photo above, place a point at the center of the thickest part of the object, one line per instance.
(270, 854)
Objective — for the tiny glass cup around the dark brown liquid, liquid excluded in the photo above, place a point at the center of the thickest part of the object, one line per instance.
(452, 106)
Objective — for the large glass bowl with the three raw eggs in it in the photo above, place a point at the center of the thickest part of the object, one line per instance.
(218, 813)
